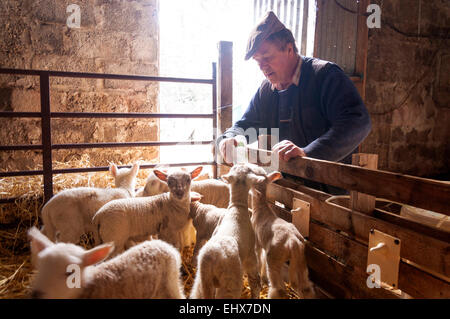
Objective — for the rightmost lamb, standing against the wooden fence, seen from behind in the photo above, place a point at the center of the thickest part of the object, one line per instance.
(280, 240)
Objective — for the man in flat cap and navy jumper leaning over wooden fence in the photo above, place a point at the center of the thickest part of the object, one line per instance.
(315, 106)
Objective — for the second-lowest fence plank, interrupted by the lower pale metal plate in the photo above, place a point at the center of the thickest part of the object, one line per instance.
(413, 281)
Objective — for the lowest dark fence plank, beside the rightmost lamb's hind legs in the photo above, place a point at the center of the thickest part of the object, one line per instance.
(347, 282)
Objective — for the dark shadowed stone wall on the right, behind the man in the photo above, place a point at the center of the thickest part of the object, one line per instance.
(408, 87)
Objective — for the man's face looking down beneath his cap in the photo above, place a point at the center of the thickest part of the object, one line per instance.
(276, 64)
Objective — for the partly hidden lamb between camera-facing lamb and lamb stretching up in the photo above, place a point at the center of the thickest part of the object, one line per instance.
(205, 219)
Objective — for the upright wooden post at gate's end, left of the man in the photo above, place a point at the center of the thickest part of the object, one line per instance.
(225, 94)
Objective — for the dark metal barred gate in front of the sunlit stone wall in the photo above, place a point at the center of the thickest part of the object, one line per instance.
(46, 115)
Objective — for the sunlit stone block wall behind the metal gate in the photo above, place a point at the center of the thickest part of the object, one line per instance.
(119, 37)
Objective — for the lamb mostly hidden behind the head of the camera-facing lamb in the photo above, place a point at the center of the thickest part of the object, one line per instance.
(214, 192)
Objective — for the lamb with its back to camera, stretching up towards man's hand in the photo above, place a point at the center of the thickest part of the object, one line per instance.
(231, 249)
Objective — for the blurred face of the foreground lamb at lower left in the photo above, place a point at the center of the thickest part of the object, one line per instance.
(58, 272)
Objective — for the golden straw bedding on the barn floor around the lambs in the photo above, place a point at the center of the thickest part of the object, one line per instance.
(16, 272)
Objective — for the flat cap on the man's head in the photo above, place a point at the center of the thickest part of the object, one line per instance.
(268, 26)
